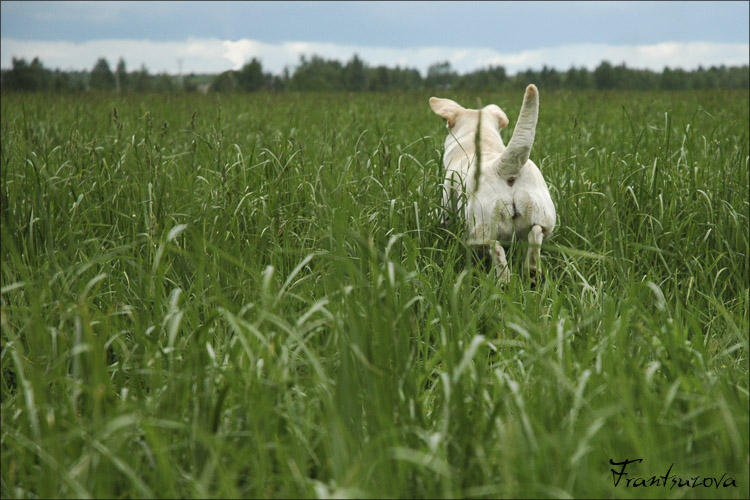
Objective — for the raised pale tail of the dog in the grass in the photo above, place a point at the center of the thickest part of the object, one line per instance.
(517, 153)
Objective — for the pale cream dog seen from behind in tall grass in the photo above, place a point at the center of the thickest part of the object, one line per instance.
(504, 192)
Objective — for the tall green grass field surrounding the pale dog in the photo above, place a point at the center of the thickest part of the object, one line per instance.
(250, 296)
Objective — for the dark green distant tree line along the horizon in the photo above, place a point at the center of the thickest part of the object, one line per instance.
(319, 74)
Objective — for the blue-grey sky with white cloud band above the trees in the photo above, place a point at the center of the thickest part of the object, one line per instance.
(211, 37)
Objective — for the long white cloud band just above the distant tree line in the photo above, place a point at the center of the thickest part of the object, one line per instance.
(211, 55)
